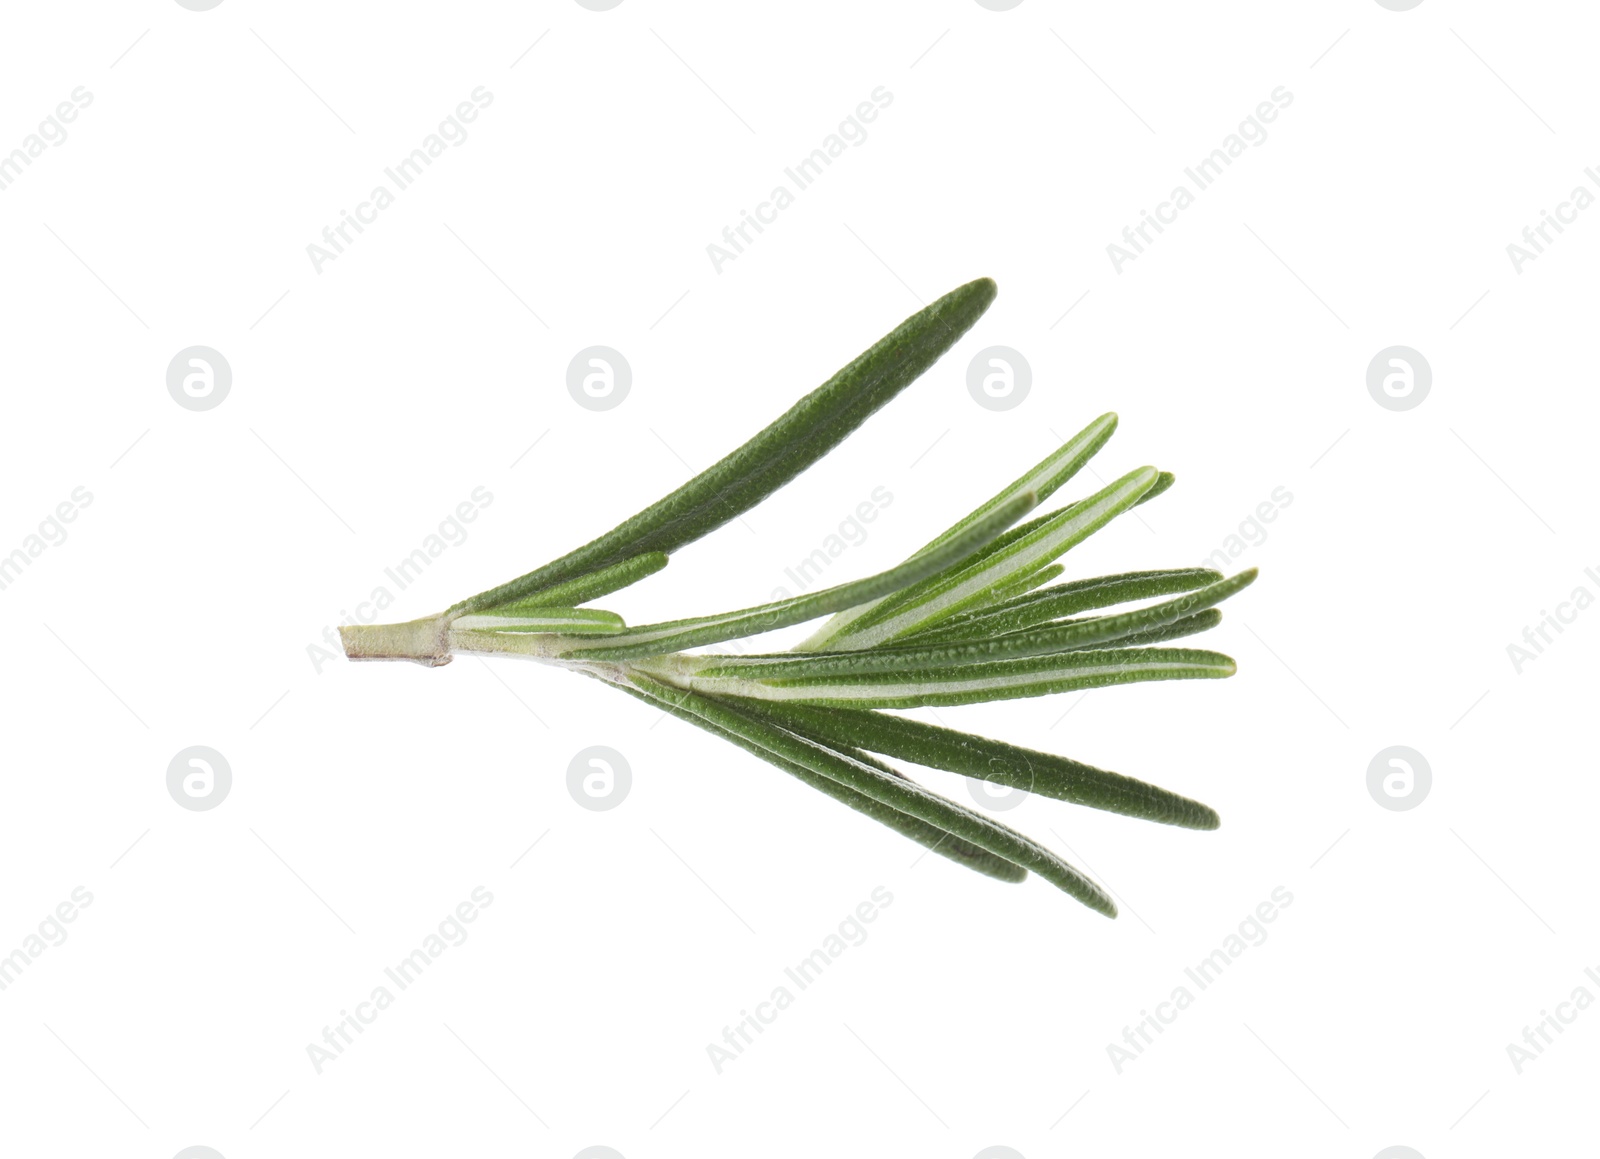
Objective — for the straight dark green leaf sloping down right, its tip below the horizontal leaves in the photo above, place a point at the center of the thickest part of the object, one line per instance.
(991, 761)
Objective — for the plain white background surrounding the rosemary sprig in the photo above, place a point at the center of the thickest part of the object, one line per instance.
(372, 398)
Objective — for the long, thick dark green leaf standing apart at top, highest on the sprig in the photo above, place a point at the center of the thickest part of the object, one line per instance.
(804, 435)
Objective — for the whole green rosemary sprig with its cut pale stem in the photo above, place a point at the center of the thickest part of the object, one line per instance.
(972, 617)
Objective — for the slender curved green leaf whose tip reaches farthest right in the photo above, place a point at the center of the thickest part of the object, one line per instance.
(1071, 636)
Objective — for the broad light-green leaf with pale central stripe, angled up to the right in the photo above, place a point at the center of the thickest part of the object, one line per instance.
(943, 596)
